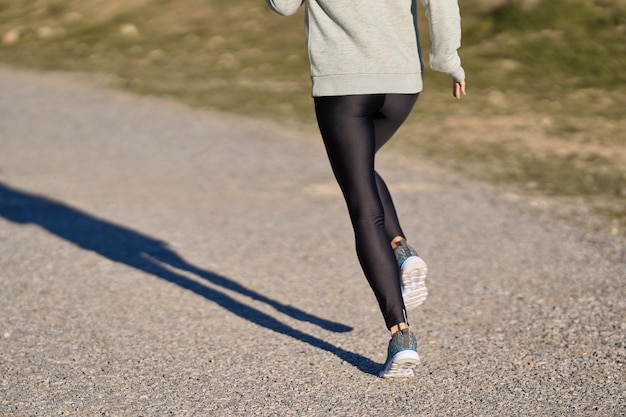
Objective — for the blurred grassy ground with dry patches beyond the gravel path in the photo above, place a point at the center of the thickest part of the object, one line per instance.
(546, 98)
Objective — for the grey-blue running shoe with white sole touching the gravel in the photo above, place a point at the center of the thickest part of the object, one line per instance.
(402, 356)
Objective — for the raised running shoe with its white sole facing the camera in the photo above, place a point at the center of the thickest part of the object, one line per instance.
(413, 272)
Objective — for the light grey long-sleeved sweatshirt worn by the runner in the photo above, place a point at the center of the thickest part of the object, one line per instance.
(372, 46)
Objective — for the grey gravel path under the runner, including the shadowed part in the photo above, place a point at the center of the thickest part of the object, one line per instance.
(158, 260)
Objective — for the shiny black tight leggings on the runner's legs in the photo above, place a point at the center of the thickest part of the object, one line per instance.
(353, 129)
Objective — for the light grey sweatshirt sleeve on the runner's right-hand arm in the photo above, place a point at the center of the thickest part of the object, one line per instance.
(445, 33)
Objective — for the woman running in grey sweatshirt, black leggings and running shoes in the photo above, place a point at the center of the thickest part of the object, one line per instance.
(366, 73)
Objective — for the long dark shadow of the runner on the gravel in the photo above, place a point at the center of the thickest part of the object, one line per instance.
(129, 247)
